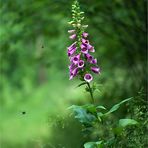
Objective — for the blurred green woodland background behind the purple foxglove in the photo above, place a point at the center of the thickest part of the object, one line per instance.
(35, 90)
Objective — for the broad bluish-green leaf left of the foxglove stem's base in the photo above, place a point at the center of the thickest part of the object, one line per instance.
(82, 115)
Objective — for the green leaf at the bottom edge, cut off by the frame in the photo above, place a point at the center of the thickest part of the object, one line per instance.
(98, 144)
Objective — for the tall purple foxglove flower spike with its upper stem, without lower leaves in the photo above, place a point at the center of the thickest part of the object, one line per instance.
(82, 63)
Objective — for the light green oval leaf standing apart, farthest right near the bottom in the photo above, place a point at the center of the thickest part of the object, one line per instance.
(127, 122)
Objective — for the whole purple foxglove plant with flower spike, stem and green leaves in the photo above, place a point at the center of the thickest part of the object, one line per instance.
(83, 65)
